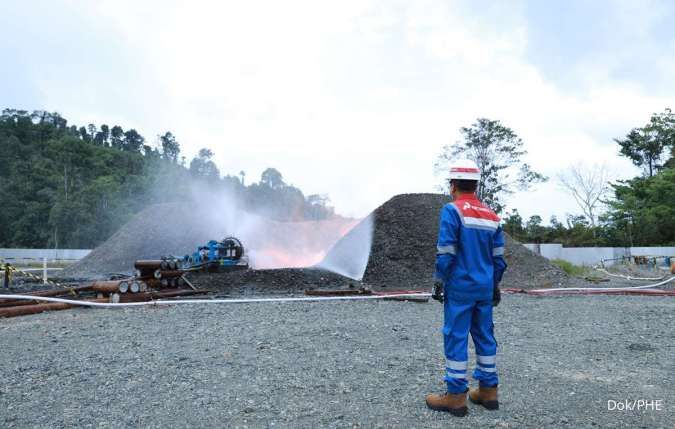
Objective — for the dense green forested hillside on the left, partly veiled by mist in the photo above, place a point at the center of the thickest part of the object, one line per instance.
(64, 186)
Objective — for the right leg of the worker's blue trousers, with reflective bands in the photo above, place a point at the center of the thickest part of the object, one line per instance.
(482, 333)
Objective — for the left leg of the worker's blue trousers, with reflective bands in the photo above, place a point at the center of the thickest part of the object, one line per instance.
(455, 339)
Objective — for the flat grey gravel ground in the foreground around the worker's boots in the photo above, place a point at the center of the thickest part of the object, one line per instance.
(338, 364)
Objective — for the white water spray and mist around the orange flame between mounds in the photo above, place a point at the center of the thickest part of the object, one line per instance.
(216, 213)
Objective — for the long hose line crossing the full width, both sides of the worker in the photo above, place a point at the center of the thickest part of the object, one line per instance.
(634, 290)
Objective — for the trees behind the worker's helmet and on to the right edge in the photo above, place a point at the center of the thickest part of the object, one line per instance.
(635, 212)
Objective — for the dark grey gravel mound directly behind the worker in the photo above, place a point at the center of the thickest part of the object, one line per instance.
(404, 248)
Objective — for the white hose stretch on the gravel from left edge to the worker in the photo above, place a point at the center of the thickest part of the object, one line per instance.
(205, 301)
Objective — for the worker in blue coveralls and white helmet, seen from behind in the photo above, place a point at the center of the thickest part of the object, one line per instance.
(469, 266)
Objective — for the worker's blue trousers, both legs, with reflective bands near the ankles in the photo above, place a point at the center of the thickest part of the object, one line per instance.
(460, 319)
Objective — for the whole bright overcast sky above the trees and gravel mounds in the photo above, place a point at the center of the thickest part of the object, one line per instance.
(351, 98)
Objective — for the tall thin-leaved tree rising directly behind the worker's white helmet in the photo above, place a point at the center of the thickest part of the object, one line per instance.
(499, 153)
